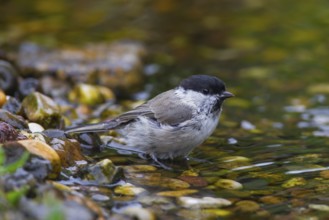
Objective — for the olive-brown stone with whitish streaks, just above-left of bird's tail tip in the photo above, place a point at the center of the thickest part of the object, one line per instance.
(42, 110)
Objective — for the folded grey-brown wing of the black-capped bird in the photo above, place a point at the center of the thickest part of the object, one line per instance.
(165, 108)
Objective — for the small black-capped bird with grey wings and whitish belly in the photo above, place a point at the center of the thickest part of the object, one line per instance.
(171, 124)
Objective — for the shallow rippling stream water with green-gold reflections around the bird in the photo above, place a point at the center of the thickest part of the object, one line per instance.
(273, 55)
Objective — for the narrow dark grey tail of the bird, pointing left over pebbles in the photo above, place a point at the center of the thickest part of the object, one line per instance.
(99, 127)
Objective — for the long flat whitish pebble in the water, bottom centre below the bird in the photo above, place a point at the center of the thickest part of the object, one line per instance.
(204, 202)
